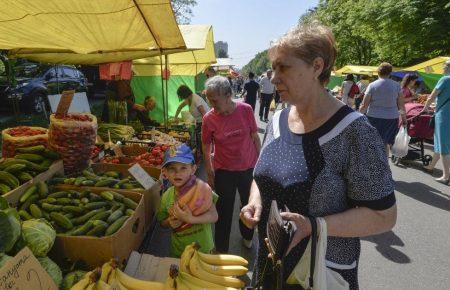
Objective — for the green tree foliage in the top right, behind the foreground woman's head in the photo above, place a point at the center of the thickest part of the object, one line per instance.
(402, 32)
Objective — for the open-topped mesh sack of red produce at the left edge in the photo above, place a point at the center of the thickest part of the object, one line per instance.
(23, 136)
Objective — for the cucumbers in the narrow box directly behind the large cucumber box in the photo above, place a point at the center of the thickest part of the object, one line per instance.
(112, 179)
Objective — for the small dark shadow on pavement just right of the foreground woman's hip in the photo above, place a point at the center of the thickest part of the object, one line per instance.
(384, 245)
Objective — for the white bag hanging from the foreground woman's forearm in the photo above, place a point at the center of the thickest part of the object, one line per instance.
(311, 271)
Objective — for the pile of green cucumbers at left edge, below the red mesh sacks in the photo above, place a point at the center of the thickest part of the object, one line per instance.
(27, 163)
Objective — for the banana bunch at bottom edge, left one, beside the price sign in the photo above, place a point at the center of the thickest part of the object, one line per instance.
(110, 274)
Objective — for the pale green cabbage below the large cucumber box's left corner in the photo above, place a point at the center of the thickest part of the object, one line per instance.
(39, 236)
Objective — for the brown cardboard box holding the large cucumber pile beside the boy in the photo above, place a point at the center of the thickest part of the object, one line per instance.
(96, 251)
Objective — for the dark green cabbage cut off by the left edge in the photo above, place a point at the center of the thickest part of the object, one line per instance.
(9, 231)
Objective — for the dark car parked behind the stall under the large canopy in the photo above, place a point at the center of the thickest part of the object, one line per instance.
(33, 88)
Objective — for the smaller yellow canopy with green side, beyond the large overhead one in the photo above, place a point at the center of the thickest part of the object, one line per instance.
(199, 40)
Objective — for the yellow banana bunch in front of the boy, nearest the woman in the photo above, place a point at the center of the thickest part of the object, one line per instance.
(210, 271)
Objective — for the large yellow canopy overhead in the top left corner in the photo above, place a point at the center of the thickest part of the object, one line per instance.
(88, 31)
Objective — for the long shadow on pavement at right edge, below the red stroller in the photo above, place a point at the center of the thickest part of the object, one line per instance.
(424, 193)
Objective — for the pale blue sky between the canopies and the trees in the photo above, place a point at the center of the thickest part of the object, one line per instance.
(249, 25)
